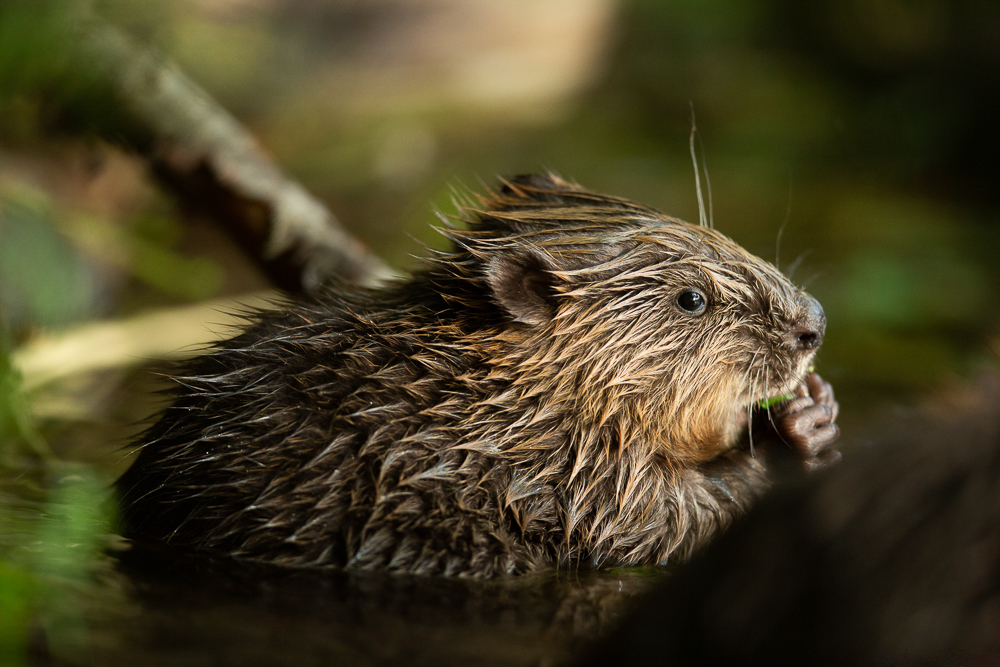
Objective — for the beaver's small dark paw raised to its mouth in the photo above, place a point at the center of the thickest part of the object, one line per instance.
(806, 423)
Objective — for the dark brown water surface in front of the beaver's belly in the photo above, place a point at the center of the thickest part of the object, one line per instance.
(147, 607)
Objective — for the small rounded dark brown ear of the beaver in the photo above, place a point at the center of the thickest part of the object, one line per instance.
(523, 283)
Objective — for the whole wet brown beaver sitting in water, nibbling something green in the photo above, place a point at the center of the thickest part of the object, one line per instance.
(570, 384)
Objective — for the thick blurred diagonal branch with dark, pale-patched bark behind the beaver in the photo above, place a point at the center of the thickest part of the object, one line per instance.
(213, 164)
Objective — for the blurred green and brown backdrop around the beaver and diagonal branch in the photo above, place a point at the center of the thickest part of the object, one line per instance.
(865, 130)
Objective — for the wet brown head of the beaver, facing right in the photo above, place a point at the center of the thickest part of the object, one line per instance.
(636, 323)
